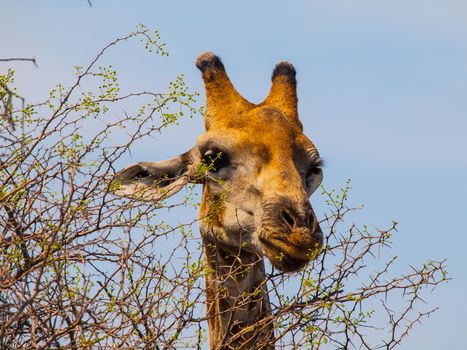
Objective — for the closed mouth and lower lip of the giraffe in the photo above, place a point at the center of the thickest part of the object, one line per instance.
(280, 258)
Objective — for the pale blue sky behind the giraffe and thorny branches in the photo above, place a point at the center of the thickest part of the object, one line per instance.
(382, 89)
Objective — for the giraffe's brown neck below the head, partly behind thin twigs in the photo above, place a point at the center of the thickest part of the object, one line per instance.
(238, 308)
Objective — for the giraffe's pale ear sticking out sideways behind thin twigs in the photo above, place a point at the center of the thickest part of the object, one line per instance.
(154, 181)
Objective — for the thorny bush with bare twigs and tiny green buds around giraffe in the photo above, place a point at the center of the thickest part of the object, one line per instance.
(81, 268)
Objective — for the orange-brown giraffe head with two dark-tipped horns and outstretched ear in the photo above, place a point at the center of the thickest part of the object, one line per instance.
(257, 167)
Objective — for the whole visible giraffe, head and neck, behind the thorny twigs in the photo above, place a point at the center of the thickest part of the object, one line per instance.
(255, 202)
